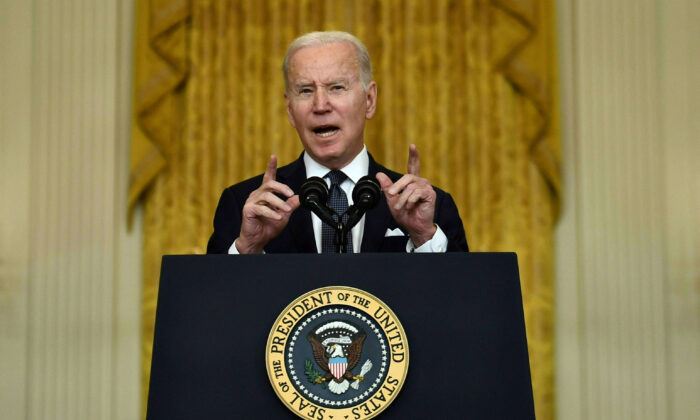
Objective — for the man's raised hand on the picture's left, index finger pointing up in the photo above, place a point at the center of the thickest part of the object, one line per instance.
(264, 213)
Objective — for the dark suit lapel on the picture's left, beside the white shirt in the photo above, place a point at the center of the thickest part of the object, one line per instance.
(299, 227)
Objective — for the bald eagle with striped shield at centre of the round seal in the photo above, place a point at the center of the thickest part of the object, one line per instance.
(337, 349)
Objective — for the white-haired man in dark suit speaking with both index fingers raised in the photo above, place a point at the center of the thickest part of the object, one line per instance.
(330, 95)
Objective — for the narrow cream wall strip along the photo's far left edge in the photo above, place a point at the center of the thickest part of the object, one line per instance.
(15, 111)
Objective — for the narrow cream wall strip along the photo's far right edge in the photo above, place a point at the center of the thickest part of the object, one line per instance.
(680, 75)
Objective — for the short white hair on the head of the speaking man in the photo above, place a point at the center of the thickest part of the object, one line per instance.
(330, 37)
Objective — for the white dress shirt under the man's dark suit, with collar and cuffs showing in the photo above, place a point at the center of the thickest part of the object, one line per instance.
(355, 170)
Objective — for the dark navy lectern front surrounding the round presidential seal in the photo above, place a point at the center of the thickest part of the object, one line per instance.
(461, 312)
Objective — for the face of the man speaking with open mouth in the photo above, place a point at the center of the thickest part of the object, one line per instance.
(327, 103)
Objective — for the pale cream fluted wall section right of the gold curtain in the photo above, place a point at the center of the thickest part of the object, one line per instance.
(628, 304)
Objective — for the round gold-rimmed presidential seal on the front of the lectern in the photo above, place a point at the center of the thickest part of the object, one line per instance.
(337, 353)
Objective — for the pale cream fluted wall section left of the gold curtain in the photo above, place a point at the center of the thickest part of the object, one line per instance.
(70, 333)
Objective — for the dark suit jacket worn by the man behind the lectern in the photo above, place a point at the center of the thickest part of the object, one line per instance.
(298, 236)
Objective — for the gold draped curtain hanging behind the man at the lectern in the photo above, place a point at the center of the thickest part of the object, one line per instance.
(471, 83)
